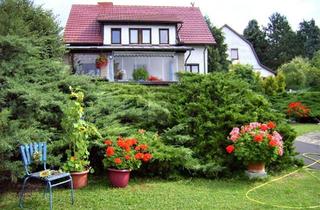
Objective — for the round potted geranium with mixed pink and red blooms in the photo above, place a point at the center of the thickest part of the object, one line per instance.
(255, 144)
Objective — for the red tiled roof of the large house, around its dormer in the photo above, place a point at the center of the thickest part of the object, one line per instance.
(83, 26)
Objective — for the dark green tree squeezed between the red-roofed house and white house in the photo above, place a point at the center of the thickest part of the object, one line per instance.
(217, 54)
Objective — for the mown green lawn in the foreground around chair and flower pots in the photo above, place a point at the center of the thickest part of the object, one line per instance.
(300, 189)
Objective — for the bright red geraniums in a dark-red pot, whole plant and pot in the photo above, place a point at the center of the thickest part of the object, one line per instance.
(122, 156)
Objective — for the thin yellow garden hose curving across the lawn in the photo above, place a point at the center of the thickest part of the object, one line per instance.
(284, 176)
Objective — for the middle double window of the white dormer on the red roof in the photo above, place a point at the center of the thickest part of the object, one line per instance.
(140, 35)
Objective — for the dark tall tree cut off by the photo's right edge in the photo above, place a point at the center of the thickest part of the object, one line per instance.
(309, 35)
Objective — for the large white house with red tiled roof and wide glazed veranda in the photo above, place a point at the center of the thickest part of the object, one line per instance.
(161, 39)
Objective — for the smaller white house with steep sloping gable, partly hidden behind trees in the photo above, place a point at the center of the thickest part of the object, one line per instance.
(241, 51)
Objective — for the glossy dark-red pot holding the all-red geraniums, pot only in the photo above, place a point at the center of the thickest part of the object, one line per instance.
(118, 178)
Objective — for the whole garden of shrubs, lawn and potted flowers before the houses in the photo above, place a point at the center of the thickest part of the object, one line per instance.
(183, 146)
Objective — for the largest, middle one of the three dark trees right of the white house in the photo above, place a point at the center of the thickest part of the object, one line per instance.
(283, 44)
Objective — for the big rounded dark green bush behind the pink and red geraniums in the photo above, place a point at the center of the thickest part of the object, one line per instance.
(205, 108)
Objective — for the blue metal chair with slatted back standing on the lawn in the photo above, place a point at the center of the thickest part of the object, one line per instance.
(28, 151)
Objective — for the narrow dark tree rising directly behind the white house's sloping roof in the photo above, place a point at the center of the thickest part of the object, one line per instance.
(258, 39)
